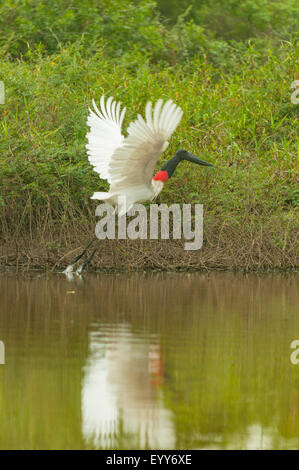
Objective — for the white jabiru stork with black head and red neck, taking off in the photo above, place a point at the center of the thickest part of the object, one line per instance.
(128, 163)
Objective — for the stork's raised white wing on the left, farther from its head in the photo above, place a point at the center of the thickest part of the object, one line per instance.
(105, 134)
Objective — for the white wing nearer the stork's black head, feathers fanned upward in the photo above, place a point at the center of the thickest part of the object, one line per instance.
(134, 161)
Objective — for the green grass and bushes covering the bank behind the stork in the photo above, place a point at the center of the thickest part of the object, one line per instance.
(229, 68)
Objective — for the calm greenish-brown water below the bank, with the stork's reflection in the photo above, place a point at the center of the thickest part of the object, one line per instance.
(171, 361)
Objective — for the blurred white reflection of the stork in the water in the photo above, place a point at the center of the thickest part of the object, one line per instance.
(120, 392)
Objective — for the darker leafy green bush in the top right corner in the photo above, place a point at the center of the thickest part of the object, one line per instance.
(238, 19)
